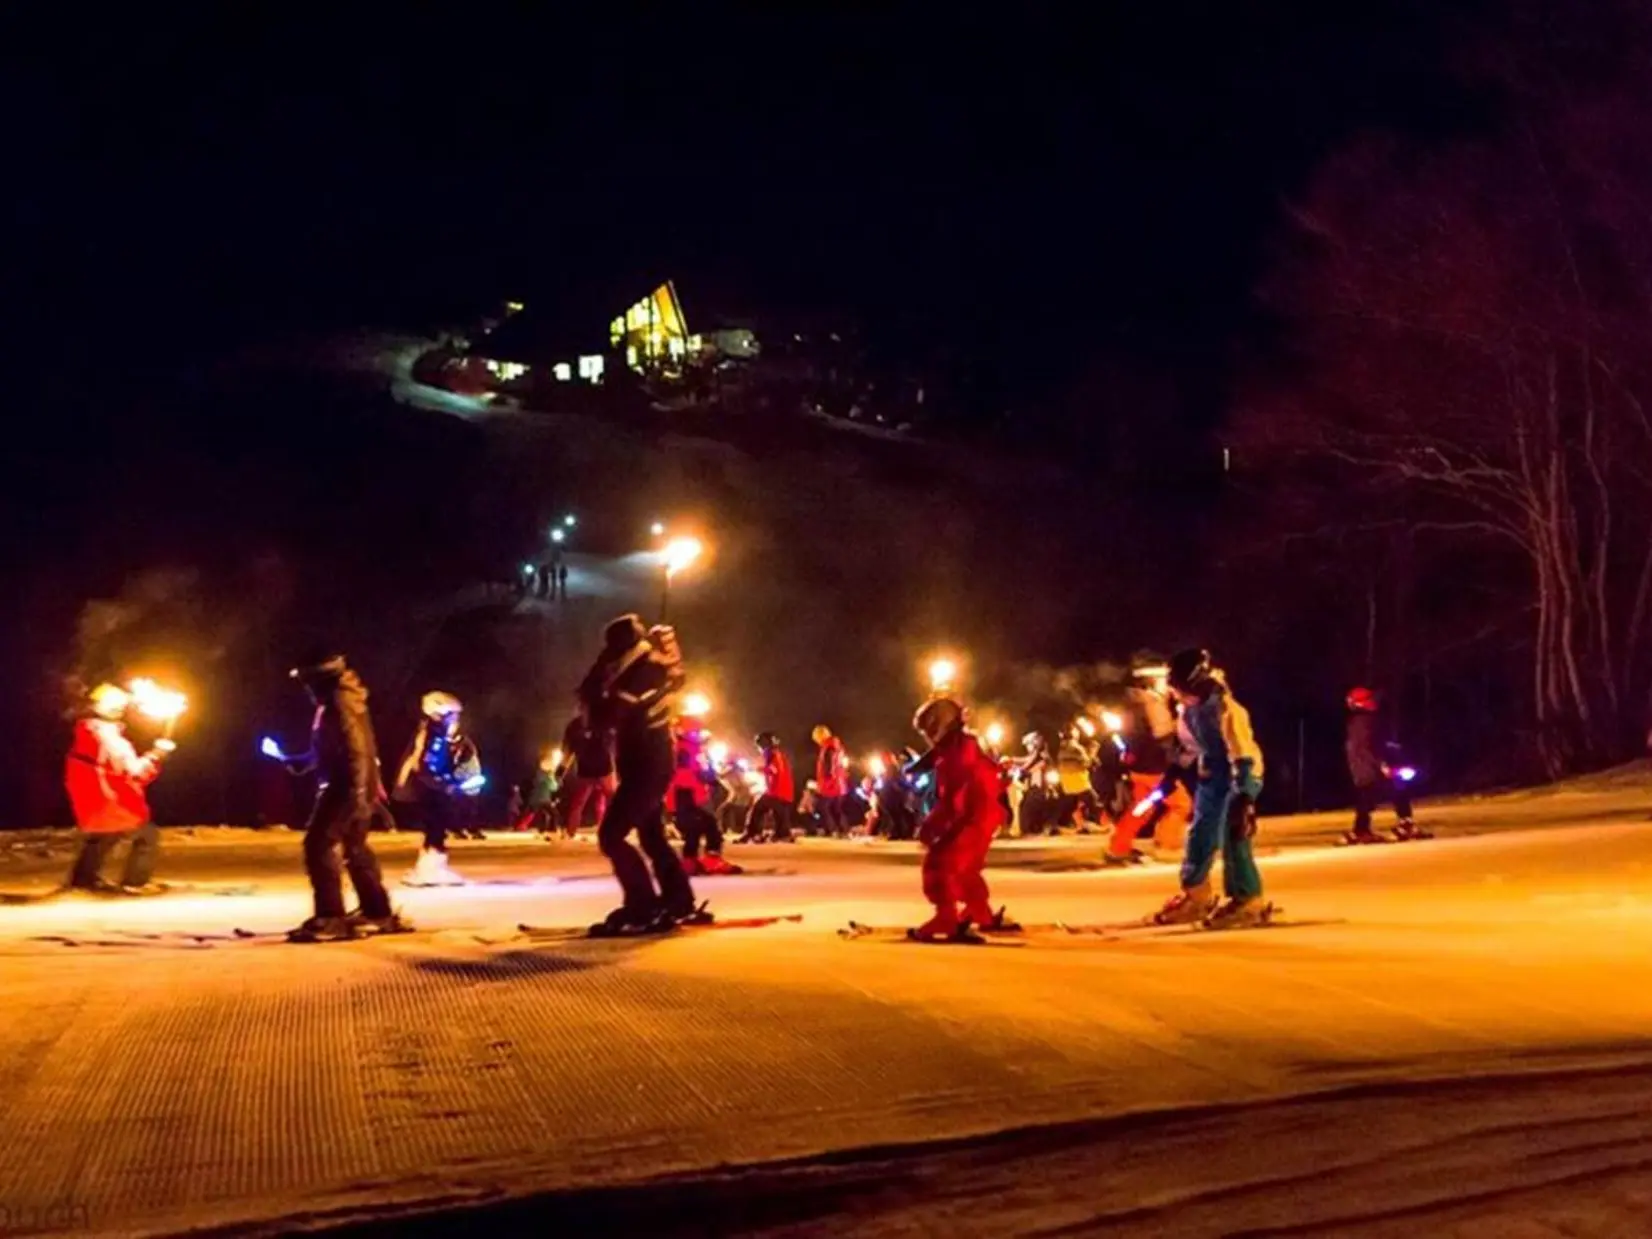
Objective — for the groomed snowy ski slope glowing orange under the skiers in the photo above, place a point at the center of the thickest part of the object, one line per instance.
(1458, 1045)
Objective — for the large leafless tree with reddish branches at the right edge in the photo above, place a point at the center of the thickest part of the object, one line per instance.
(1471, 326)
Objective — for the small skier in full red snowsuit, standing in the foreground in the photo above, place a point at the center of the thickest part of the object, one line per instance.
(961, 828)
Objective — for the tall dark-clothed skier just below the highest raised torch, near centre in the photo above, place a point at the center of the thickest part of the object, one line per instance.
(629, 691)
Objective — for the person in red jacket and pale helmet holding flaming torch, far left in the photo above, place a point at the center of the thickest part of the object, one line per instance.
(108, 790)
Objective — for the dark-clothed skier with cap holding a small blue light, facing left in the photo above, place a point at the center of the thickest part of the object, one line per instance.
(349, 799)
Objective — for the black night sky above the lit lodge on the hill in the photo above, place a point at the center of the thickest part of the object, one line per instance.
(1056, 184)
